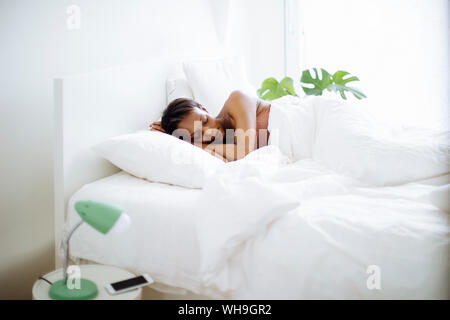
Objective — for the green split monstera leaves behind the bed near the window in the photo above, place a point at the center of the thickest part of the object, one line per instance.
(271, 89)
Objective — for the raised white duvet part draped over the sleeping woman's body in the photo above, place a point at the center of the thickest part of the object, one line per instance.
(345, 137)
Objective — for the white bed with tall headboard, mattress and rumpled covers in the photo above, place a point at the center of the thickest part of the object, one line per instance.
(277, 230)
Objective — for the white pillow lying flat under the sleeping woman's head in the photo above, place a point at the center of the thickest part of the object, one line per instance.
(160, 157)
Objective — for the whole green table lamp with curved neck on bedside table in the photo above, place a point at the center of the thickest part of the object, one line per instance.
(103, 218)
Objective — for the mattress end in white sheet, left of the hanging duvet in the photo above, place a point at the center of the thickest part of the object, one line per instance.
(161, 239)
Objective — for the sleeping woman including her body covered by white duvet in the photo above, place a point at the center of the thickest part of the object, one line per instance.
(340, 135)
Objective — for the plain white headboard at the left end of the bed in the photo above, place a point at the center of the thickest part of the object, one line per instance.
(94, 106)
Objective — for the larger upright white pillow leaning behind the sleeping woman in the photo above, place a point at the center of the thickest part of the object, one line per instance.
(212, 81)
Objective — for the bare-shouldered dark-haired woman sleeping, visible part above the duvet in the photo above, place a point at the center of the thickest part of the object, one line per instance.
(239, 128)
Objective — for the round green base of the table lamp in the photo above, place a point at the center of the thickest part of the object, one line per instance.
(60, 291)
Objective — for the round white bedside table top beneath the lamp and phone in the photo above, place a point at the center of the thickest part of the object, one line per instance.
(100, 274)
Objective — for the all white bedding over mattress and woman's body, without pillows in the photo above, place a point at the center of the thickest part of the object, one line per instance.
(300, 223)
